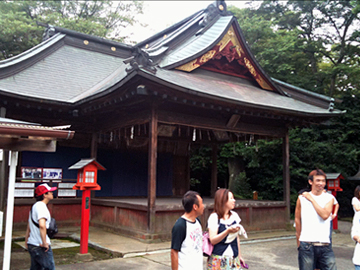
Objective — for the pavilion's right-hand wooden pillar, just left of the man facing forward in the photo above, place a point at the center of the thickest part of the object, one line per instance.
(286, 173)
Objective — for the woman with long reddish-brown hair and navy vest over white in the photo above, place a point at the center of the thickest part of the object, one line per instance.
(223, 225)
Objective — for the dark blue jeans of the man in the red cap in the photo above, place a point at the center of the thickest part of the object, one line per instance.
(41, 259)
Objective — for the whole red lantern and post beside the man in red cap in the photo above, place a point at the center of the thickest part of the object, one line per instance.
(86, 181)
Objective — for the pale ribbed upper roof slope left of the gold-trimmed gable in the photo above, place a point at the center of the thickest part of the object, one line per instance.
(197, 45)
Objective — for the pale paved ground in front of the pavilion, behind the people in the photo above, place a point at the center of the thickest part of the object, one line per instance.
(263, 250)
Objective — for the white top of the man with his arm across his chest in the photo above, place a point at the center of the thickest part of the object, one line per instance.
(313, 227)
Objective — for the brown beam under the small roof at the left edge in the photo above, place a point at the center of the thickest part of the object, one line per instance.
(23, 144)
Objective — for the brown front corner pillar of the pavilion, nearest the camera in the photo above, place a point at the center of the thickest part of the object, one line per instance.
(153, 125)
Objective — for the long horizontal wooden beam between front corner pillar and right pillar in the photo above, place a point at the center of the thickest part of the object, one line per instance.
(215, 124)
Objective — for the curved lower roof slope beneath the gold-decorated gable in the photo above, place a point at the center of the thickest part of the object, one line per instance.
(234, 91)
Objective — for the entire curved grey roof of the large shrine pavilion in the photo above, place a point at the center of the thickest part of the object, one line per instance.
(64, 70)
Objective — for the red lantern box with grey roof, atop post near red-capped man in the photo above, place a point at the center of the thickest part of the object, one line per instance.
(87, 174)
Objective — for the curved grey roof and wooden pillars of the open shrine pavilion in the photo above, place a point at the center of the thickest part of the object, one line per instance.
(194, 82)
